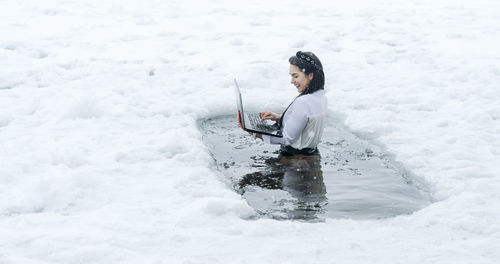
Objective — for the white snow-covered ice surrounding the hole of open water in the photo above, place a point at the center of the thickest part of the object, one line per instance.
(101, 160)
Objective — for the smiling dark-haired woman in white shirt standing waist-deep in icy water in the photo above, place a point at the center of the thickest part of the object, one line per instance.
(302, 122)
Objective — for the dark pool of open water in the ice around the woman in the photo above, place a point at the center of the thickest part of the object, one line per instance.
(351, 179)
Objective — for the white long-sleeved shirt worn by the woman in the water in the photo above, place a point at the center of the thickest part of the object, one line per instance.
(303, 122)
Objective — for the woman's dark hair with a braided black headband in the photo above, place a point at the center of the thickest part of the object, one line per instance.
(309, 63)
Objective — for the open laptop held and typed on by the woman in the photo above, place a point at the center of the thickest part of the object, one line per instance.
(251, 122)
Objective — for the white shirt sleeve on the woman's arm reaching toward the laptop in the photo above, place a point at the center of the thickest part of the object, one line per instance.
(296, 121)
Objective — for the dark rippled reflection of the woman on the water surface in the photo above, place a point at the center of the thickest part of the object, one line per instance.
(300, 176)
